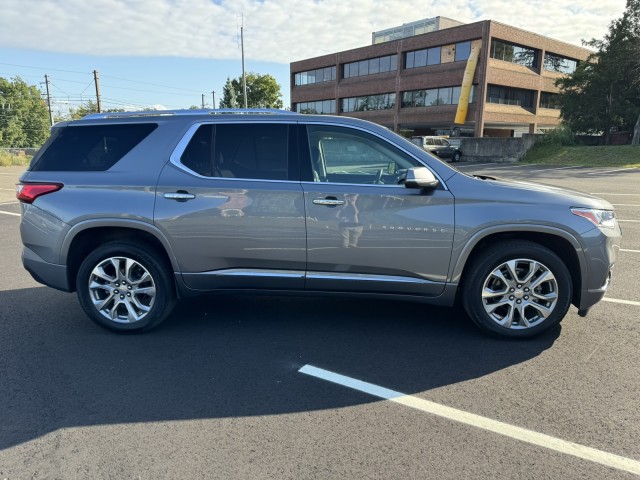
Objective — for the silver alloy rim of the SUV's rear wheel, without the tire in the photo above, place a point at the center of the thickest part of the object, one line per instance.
(122, 290)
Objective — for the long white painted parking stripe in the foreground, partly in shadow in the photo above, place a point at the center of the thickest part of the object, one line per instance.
(511, 431)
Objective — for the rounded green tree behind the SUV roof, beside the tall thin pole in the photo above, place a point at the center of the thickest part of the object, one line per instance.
(263, 91)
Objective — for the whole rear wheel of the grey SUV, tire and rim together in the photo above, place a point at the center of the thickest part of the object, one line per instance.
(127, 281)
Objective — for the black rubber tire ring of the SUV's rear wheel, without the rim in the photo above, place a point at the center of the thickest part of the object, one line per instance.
(165, 292)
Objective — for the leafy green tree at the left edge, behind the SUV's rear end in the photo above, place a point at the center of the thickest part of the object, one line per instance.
(24, 117)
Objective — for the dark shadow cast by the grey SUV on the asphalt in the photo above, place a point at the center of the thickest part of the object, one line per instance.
(227, 356)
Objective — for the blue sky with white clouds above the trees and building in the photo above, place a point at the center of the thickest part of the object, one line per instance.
(168, 53)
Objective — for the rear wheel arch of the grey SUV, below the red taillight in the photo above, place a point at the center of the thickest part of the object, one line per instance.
(82, 238)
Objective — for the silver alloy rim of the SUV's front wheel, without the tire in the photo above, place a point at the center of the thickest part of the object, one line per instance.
(520, 293)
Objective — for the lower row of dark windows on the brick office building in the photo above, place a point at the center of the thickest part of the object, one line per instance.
(431, 97)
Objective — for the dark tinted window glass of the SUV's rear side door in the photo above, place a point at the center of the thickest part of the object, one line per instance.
(255, 151)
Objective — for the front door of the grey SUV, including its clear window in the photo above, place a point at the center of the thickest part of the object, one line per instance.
(365, 232)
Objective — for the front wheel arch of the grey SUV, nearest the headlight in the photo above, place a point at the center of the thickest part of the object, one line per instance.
(558, 241)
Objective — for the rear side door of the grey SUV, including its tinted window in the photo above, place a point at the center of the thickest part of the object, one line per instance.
(231, 204)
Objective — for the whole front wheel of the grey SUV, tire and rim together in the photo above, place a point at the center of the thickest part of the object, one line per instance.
(514, 306)
